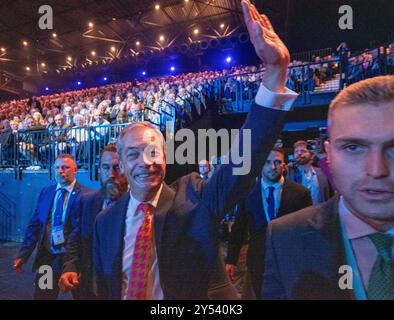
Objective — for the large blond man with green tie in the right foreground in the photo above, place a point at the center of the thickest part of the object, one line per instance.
(343, 248)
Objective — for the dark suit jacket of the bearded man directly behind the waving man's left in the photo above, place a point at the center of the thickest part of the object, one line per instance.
(78, 257)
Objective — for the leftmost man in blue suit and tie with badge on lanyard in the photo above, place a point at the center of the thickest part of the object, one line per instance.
(50, 226)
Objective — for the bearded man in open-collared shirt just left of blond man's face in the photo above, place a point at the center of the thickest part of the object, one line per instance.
(313, 178)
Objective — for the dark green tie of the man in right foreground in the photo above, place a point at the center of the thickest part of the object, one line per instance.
(381, 282)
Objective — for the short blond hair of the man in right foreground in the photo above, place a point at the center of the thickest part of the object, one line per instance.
(371, 91)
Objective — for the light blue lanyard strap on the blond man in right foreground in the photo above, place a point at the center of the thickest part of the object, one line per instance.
(358, 286)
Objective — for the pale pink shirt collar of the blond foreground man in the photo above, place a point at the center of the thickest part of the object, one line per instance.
(355, 227)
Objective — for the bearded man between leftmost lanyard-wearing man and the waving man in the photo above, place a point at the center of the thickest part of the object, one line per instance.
(77, 263)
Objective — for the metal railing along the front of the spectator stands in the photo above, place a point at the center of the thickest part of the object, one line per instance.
(39, 148)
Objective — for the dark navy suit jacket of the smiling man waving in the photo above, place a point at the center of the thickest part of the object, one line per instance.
(186, 220)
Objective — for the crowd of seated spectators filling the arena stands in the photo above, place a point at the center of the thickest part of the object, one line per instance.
(179, 99)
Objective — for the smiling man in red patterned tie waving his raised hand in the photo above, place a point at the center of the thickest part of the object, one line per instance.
(160, 242)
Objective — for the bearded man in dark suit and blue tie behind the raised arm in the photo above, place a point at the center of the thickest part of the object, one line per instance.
(273, 196)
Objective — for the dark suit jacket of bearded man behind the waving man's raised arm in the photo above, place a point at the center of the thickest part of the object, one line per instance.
(251, 220)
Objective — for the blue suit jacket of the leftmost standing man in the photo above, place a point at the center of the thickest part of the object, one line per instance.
(35, 233)
